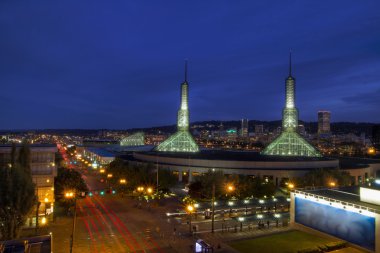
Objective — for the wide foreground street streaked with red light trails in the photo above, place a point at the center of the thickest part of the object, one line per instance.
(111, 223)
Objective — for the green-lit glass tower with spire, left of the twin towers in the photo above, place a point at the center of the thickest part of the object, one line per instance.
(182, 140)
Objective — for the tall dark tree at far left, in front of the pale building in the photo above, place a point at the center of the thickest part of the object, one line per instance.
(17, 193)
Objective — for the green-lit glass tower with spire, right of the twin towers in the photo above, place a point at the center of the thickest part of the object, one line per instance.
(289, 142)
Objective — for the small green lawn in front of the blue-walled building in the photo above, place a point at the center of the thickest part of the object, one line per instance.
(288, 242)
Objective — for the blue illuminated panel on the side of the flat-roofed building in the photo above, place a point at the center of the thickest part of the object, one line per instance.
(349, 226)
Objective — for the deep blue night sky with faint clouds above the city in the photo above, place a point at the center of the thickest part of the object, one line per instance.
(118, 64)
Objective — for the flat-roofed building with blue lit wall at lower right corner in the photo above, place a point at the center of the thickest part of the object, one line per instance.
(349, 214)
